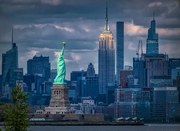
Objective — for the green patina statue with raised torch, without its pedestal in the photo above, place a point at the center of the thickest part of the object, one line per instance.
(61, 68)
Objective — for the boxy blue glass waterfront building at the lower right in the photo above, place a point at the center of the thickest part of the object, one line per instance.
(165, 103)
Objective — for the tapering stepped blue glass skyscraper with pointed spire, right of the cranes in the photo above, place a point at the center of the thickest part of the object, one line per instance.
(152, 46)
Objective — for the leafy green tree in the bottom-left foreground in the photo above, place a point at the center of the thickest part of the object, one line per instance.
(17, 112)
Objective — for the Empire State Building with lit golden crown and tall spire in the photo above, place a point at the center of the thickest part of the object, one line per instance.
(106, 59)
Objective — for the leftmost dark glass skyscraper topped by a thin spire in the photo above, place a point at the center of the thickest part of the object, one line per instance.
(9, 64)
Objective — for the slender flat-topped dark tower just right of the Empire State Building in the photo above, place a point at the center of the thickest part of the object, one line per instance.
(119, 49)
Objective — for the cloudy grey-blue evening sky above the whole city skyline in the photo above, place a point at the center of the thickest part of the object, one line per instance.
(41, 25)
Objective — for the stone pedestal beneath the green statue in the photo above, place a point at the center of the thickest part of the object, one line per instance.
(59, 103)
